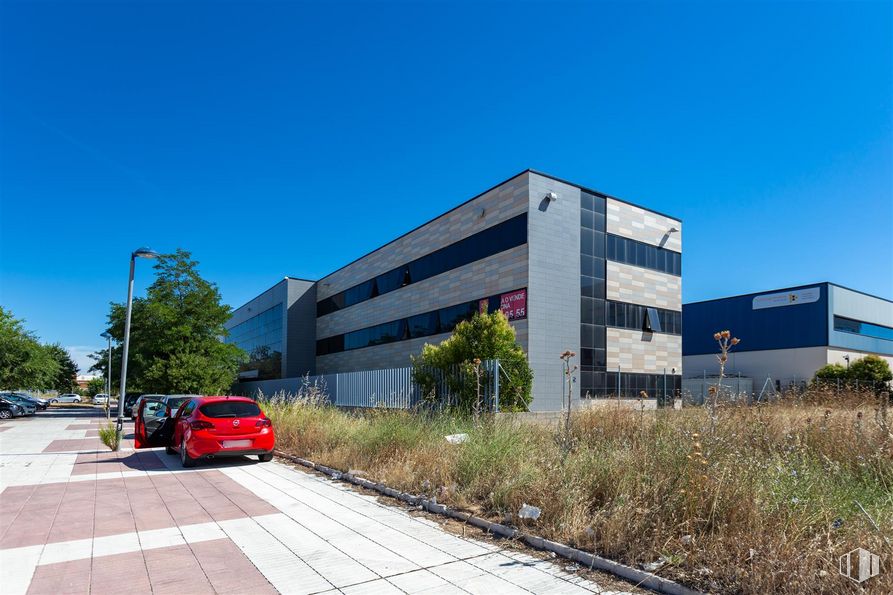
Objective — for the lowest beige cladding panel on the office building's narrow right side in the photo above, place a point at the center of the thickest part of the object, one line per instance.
(645, 353)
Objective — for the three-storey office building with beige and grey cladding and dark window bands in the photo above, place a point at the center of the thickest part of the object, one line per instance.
(572, 268)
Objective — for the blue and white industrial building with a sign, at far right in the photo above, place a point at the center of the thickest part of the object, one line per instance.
(788, 334)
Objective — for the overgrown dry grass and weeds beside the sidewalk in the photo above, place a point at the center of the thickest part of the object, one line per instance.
(766, 503)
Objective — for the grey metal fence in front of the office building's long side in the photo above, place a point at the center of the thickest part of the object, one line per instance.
(391, 388)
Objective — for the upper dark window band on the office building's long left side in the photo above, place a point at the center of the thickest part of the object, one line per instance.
(493, 240)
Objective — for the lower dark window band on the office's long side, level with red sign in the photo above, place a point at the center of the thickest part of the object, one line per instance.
(426, 324)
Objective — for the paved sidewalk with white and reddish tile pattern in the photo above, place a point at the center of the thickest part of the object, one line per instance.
(76, 518)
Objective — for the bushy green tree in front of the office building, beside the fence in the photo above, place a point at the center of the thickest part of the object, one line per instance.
(484, 337)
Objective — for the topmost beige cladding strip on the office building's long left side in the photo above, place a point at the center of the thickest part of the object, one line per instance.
(497, 205)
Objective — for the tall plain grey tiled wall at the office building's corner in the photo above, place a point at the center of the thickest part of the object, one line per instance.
(553, 299)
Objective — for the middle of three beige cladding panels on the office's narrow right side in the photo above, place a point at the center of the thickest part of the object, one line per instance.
(627, 283)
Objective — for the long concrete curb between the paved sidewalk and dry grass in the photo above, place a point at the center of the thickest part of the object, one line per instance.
(639, 577)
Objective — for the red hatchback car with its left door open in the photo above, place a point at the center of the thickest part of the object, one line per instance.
(205, 428)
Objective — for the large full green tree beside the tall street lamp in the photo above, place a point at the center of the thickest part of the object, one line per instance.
(175, 333)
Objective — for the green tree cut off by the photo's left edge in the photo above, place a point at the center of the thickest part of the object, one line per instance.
(24, 362)
